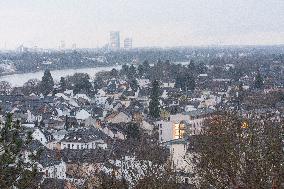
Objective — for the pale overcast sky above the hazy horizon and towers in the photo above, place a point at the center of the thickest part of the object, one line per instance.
(149, 22)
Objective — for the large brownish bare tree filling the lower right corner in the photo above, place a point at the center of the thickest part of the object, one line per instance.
(235, 152)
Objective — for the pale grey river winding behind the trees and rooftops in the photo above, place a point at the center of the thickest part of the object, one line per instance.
(18, 80)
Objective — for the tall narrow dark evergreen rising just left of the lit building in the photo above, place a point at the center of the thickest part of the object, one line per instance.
(154, 105)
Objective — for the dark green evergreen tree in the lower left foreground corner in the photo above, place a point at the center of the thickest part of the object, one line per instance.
(13, 171)
